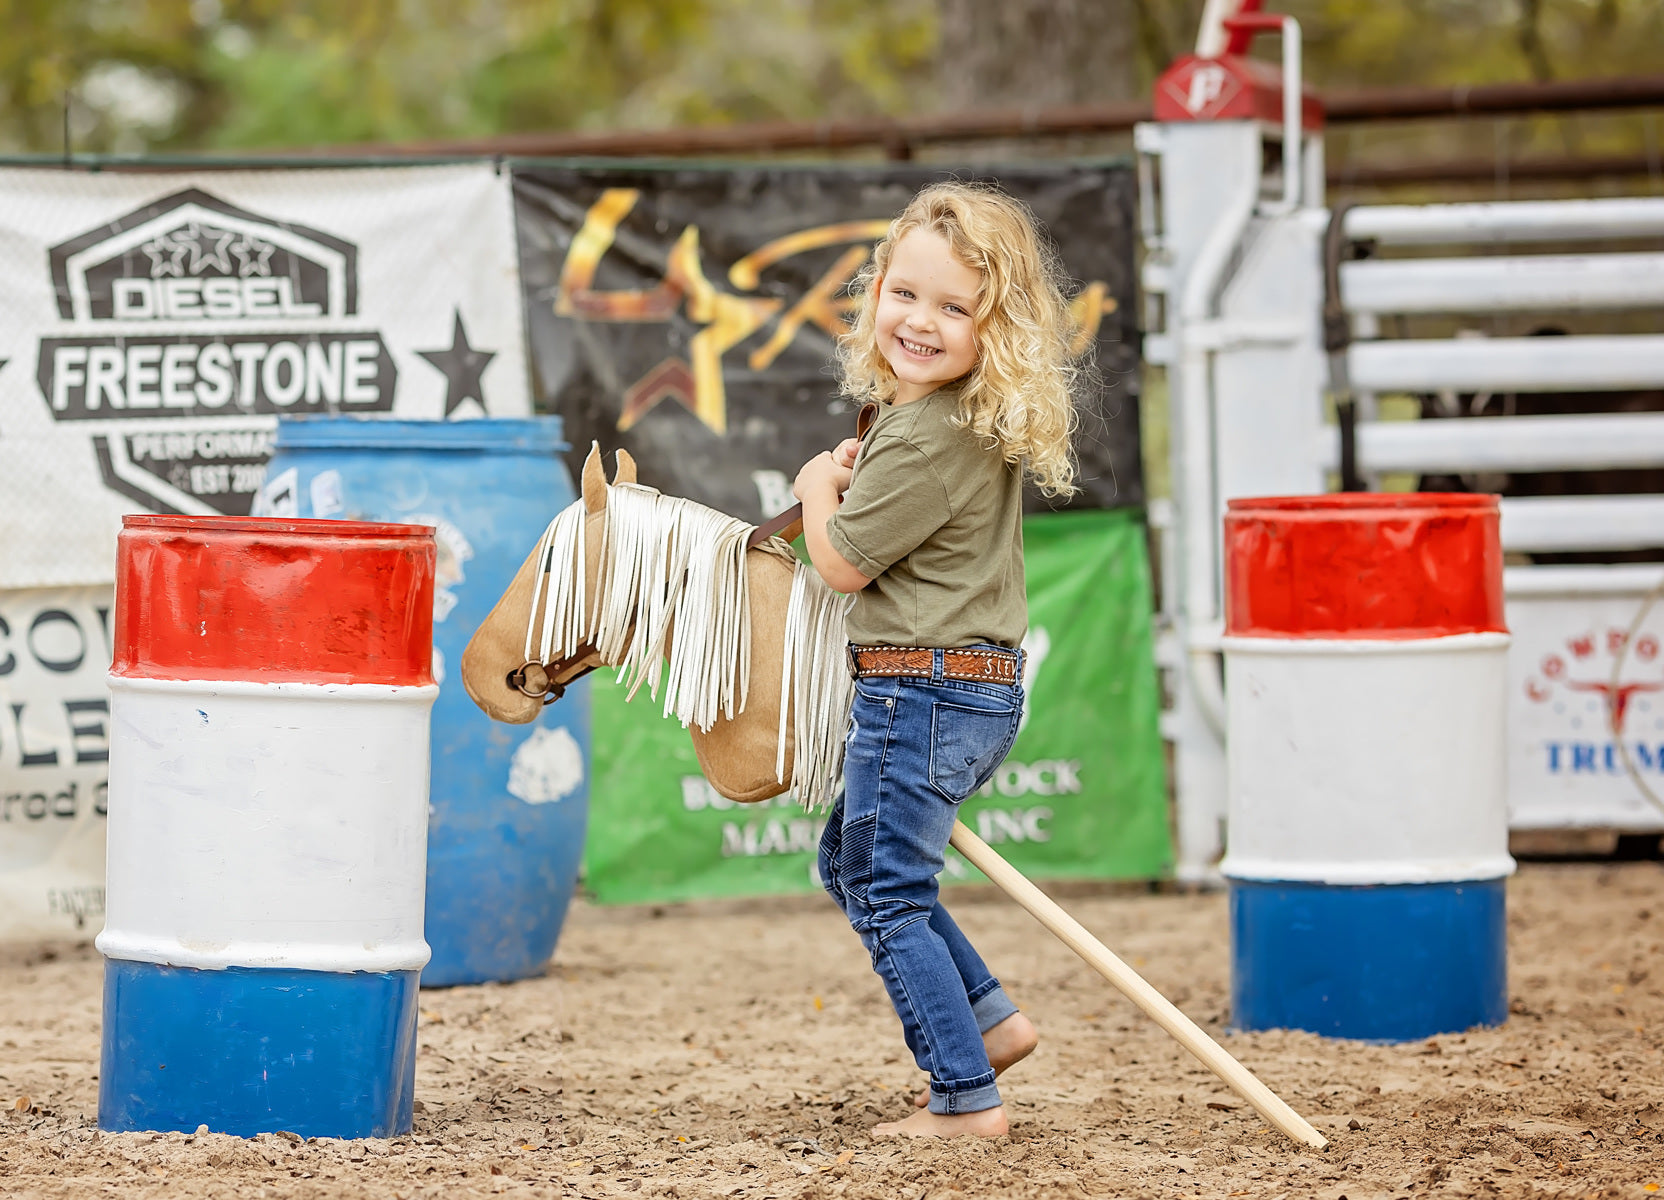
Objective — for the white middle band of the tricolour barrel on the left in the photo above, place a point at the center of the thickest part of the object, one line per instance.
(267, 825)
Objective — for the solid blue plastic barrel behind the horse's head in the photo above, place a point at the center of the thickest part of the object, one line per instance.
(510, 803)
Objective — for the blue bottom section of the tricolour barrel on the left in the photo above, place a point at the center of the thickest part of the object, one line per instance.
(254, 1051)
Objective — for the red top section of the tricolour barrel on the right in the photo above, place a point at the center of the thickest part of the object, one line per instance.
(1364, 565)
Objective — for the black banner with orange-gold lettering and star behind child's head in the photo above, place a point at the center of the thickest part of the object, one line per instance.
(690, 315)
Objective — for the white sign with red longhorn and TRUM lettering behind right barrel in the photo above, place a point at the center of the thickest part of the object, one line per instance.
(1587, 713)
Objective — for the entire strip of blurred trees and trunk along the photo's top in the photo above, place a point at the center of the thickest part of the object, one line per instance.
(191, 76)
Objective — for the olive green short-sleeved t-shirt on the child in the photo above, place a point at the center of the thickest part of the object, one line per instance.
(936, 518)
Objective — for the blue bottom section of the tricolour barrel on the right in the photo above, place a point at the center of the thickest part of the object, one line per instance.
(1392, 963)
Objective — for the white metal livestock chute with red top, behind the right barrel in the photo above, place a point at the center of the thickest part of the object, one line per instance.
(1285, 324)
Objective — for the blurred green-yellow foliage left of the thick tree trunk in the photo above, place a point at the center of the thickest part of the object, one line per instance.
(159, 76)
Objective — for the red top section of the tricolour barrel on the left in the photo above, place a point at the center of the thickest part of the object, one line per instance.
(274, 600)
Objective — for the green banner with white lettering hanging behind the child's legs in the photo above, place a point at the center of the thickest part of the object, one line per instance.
(1082, 795)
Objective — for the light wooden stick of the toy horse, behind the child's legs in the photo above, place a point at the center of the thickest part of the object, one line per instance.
(1166, 1014)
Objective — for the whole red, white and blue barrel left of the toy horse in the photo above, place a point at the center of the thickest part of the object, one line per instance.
(269, 818)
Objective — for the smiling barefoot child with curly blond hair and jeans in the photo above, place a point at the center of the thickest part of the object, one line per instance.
(963, 339)
